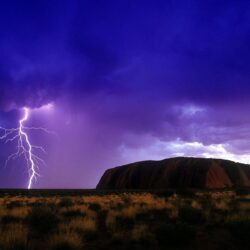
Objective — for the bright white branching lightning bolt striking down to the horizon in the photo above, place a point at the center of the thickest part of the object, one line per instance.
(24, 147)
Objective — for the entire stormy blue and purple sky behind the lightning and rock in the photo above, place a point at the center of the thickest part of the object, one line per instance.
(128, 80)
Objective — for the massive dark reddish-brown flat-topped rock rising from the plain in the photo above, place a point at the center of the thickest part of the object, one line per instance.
(177, 172)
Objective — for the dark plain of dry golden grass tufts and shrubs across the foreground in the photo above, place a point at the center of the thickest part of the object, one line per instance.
(135, 220)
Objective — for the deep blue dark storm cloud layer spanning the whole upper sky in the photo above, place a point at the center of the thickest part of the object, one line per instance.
(187, 50)
